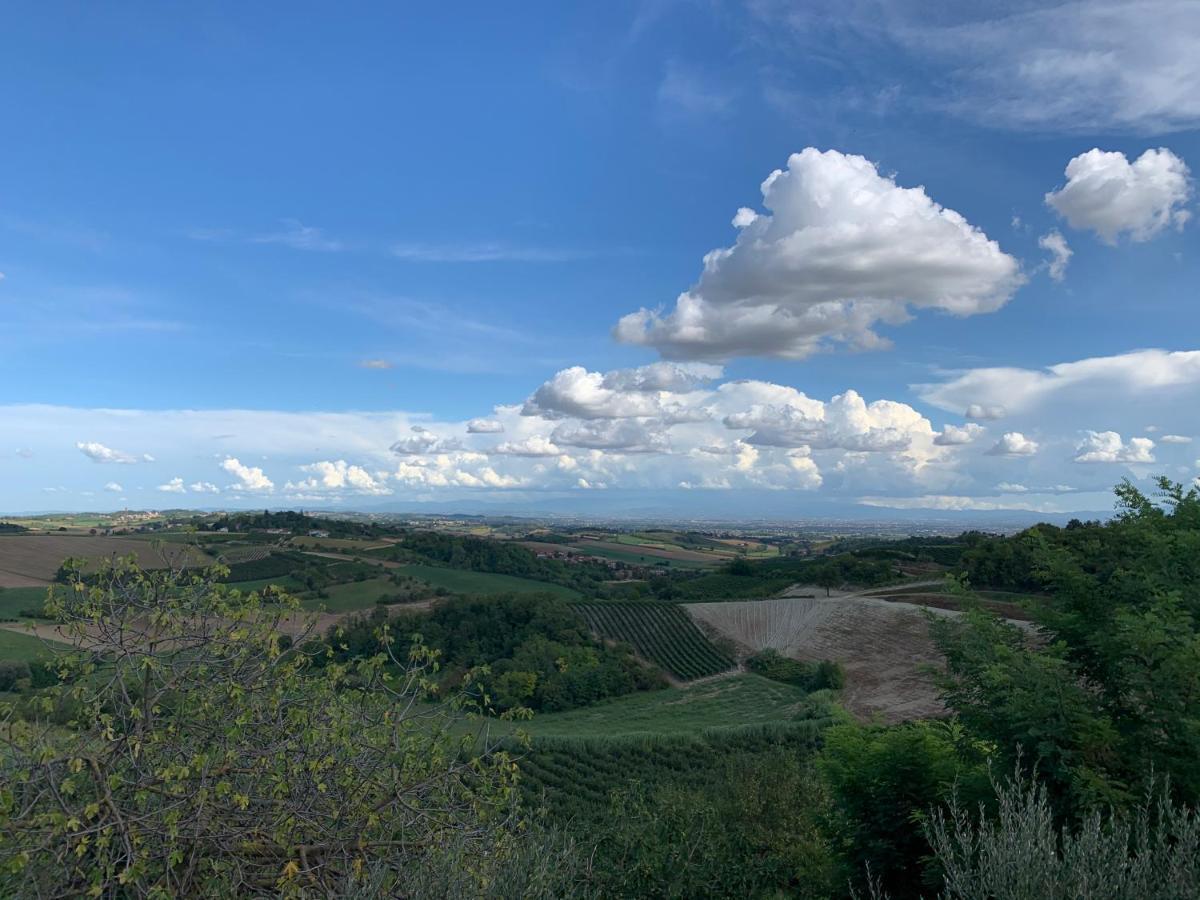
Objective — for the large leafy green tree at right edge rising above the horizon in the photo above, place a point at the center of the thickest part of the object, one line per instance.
(1111, 693)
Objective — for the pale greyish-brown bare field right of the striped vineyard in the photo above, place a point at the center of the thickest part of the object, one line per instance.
(881, 646)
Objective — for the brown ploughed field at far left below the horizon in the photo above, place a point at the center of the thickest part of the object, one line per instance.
(32, 560)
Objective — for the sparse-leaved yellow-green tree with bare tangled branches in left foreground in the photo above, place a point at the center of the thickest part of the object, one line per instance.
(191, 751)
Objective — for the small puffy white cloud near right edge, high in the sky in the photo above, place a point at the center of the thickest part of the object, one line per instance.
(1109, 195)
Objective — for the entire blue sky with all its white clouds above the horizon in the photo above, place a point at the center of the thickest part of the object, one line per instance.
(352, 221)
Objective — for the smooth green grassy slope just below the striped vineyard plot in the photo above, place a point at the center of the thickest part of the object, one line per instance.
(743, 699)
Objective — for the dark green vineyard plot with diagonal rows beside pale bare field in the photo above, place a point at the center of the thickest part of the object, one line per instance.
(662, 634)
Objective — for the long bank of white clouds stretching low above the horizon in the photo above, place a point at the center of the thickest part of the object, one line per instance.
(669, 427)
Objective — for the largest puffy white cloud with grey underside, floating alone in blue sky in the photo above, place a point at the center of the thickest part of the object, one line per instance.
(842, 250)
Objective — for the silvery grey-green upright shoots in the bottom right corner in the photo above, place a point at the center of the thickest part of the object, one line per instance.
(1022, 853)
